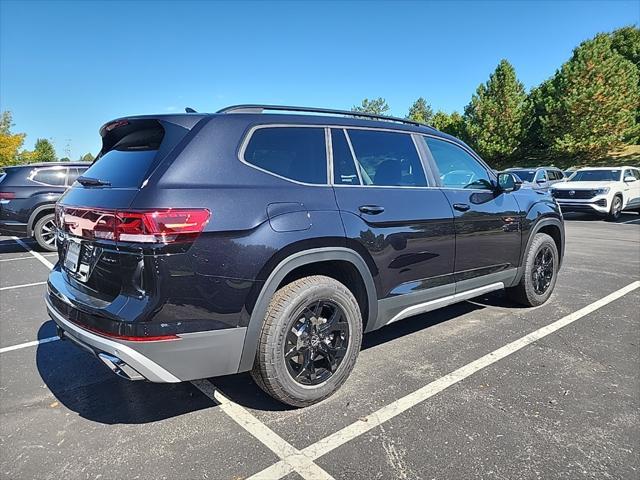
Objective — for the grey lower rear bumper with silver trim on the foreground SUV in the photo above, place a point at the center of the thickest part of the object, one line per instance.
(191, 356)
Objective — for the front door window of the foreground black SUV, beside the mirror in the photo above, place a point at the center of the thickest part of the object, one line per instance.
(457, 168)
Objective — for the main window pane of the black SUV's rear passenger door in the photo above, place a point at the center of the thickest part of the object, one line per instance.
(387, 158)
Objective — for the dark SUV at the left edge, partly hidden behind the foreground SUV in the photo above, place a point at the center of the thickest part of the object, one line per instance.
(28, 194)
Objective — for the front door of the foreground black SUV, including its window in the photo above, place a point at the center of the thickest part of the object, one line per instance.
(487, 224)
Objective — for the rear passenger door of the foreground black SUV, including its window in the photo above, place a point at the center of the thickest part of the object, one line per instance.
(390, 210)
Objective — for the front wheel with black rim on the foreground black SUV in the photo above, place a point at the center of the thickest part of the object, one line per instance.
(529, 292)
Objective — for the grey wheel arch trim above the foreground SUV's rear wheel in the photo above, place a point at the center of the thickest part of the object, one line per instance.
(287, 268)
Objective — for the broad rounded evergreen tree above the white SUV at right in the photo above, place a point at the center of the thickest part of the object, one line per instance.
(589, 106)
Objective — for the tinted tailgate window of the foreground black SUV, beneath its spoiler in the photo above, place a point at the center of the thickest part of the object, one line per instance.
(129, 161)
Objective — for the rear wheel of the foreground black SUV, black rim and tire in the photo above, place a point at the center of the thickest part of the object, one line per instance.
(293, 315)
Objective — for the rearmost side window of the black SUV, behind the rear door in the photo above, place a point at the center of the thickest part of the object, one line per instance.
(296, 153)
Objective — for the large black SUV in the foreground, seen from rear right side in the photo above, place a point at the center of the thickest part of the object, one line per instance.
(200, 245)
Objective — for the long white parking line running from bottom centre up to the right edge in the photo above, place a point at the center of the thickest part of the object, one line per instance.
(386, 413)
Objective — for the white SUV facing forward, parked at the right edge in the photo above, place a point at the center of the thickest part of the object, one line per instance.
(605, 191)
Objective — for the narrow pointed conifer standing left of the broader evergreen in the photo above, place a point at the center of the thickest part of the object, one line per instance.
(494, 119)
